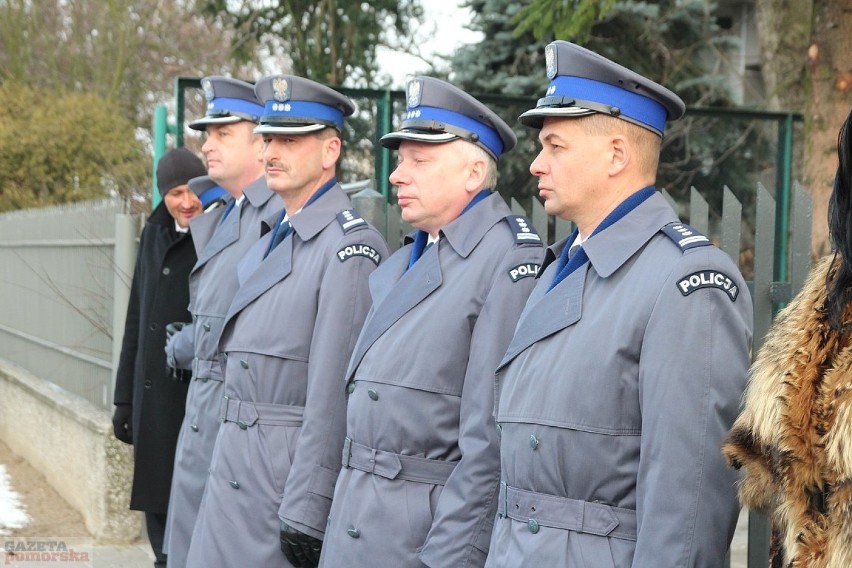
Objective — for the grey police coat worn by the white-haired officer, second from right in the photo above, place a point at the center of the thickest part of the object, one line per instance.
(421, 458)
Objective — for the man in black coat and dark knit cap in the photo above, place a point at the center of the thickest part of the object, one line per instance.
(149, 404)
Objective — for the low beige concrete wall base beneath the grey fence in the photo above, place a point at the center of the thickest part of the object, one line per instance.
(70, 441)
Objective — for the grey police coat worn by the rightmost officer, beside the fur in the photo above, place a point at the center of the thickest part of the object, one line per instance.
(614, 398)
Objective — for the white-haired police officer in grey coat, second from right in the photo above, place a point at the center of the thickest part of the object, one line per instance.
(420, 458)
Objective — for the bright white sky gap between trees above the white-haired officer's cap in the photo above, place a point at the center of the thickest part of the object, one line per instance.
(442, 33)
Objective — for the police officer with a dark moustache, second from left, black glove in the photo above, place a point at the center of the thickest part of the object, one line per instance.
(288, 335)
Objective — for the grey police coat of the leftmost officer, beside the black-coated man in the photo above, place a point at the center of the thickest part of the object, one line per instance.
(212, 285)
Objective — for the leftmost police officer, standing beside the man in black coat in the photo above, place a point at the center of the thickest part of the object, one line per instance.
(221, 238)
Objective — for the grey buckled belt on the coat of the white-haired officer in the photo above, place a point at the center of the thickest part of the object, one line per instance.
(396, 466)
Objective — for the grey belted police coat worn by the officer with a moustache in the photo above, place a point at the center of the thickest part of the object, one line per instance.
(289, 334)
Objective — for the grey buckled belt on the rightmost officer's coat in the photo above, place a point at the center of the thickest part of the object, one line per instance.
(565, 513)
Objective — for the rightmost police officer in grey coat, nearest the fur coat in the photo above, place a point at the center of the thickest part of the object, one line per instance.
(629, 360)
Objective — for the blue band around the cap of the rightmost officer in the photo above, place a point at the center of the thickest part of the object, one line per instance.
(632, 105)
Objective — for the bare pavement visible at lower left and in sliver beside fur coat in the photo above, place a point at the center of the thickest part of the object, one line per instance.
(50, 515)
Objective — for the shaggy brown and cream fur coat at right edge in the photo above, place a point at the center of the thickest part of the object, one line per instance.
(793, 438)
